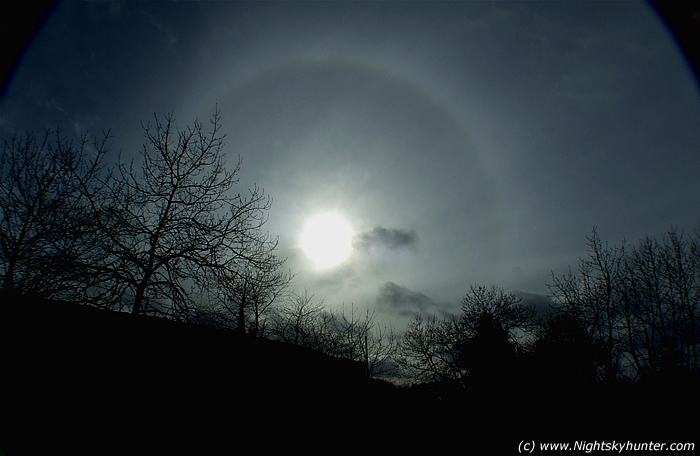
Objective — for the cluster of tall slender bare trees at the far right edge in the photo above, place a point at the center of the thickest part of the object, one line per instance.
(641, 305)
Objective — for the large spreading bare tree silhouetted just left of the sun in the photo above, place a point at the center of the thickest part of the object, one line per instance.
(173, 221)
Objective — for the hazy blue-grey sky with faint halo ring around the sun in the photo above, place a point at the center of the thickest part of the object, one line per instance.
(464, 142)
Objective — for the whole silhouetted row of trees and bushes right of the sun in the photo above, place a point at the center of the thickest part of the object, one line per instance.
(628, 314)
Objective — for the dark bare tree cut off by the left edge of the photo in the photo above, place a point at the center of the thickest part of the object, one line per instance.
(43, 235)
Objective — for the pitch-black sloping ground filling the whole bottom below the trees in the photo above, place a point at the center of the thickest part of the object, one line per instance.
(78, 380)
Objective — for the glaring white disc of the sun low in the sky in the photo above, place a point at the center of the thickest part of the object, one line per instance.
(327, 240)
